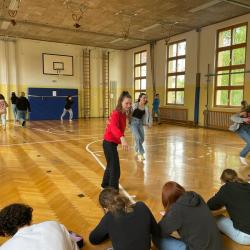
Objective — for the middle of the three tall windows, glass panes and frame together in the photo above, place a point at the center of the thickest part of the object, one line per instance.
(176, 65)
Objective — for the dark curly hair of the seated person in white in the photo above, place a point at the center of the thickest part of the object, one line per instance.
(14, 217)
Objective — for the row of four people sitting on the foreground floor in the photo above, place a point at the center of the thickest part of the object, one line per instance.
(133, 226)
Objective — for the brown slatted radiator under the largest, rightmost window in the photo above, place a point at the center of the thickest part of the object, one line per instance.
(217, 119)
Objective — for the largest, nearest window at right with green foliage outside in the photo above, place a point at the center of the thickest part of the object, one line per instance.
(230, 65)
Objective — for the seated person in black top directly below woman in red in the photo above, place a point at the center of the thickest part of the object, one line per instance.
(129, 226)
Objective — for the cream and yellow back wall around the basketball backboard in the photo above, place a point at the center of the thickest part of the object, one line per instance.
(22, 67)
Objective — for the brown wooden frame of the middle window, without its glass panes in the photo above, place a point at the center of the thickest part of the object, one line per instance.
(175, 58)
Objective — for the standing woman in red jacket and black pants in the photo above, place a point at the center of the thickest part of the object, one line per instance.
(114, 135)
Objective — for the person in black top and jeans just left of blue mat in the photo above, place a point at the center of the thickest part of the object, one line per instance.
(22, 105)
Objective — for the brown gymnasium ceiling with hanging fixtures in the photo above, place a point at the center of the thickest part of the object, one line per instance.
(116, 24)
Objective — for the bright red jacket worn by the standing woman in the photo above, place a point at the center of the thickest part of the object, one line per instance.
(116, 127)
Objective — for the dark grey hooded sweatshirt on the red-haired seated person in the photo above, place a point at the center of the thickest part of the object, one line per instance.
(191, 217)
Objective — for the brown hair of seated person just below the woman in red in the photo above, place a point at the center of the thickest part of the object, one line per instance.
(116, 203)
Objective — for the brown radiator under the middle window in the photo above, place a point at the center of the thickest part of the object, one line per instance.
(174, 114)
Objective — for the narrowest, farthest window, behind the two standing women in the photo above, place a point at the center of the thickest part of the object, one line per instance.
(140, 73)
